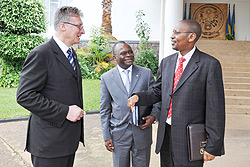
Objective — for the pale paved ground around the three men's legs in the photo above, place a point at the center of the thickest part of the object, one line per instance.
(13, 134)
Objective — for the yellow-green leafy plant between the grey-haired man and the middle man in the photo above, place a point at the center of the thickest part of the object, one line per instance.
(95, 59)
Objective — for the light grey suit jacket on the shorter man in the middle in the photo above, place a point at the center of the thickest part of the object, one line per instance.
(115, 115)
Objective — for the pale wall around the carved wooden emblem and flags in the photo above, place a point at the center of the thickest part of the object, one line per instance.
(242, 16)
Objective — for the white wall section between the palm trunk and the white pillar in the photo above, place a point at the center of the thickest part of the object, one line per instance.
(124, 20)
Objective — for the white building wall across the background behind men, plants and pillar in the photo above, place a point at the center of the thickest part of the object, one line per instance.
(124, 20)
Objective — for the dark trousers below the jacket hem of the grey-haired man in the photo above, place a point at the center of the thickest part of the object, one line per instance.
(66, 161)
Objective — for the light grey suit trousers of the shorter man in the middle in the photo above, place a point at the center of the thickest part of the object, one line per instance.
(124, 148)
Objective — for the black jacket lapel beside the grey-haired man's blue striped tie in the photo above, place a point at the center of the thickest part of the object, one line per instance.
(61, 57)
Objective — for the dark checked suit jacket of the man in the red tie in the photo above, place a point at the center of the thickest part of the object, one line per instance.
(198, 98)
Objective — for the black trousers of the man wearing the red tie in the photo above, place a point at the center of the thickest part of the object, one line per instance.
(166, 150)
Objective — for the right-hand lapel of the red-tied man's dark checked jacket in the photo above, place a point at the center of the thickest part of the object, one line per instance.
(191, 67)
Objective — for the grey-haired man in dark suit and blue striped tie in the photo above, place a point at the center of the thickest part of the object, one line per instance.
(50, 88)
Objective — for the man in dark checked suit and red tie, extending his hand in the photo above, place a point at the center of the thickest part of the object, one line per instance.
(191, 91)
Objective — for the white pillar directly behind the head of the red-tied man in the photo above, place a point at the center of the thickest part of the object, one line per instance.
(171, 13)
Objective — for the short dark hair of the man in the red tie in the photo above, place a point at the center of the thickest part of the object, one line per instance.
(193, 26)
